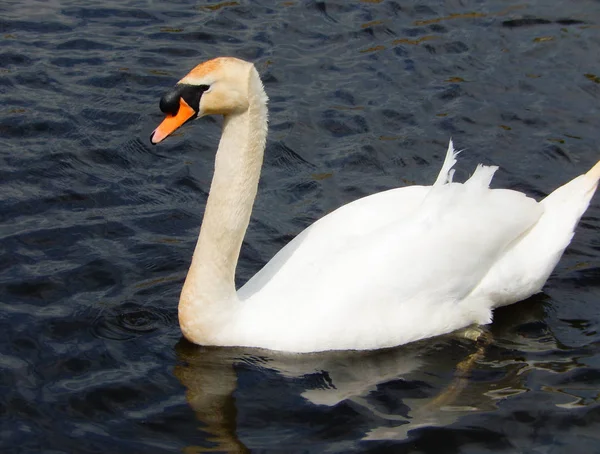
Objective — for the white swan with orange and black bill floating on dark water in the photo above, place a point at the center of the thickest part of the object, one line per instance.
(385, 270)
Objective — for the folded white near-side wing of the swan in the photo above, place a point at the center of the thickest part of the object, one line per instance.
(440, 252)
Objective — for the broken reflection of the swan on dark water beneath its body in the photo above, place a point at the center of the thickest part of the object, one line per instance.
(430, 378)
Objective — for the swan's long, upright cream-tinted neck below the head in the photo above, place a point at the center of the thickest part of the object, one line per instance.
(209, 288)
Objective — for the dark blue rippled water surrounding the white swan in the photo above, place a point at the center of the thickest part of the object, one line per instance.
(97, 227)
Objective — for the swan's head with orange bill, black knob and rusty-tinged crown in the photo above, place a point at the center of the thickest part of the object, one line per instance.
(218, 86)
